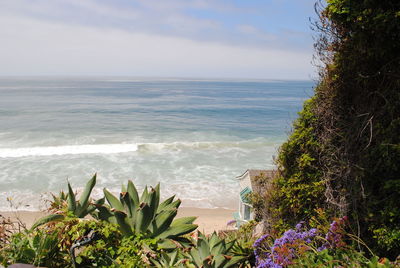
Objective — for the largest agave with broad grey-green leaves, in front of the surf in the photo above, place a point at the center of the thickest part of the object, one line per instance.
(145, 215)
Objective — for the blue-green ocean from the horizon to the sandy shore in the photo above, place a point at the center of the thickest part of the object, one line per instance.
(194, 136)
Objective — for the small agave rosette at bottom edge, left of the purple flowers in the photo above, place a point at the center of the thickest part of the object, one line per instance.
(213, 252)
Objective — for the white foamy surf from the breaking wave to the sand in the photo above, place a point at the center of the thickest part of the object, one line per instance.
(201, 174)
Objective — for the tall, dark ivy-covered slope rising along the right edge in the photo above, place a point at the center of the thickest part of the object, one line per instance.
(344, 152)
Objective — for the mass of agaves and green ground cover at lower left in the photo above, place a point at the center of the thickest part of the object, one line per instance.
(129, 231)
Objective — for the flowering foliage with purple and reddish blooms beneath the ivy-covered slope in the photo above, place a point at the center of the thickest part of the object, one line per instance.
(314, 247)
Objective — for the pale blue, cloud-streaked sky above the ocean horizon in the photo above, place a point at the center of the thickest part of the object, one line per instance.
(258, 39)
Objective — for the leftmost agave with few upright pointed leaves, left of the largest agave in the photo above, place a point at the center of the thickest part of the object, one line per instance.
(79, 209)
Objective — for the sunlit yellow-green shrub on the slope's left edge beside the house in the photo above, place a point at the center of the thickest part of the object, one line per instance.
(298, 189)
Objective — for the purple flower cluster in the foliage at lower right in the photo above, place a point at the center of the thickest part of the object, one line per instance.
(284, 249)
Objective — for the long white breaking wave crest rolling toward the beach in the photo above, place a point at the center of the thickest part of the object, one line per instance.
(123, 148)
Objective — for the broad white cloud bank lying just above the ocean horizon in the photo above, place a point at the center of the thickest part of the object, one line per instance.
(32, 47)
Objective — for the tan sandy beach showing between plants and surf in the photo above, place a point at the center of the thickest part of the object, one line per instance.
(209, 220)
